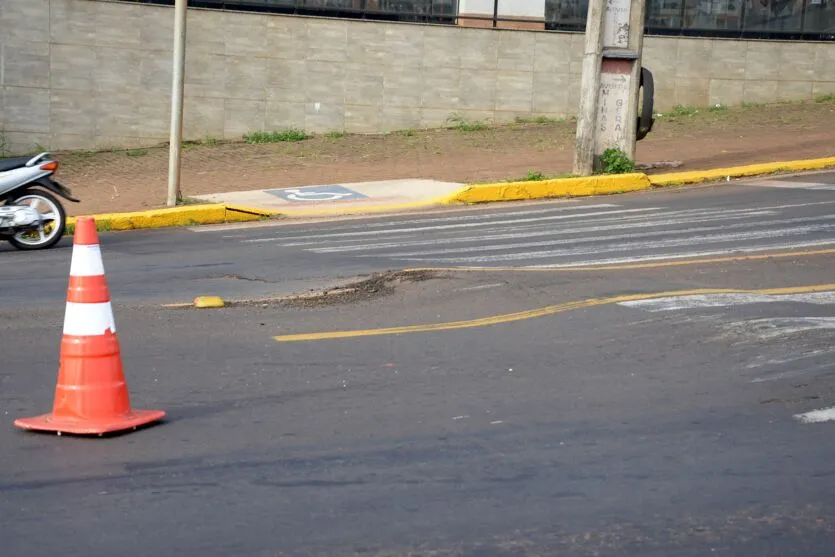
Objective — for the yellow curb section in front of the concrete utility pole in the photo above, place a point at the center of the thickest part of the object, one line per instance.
(557, 187)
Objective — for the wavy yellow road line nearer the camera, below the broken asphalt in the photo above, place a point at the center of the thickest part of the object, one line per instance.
(541, 312)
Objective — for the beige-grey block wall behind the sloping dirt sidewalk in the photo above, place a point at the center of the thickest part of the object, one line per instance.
(82, 74)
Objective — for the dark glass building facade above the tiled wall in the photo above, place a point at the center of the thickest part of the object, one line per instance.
(754, 19)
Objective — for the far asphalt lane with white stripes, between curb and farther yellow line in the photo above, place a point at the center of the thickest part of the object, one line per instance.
(250, 261)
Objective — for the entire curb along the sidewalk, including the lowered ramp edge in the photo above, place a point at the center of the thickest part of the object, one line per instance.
(607, 184)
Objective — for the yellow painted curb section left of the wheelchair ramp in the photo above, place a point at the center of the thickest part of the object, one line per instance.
(176, 216)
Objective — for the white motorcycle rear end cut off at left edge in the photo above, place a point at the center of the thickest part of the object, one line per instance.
(31, 216)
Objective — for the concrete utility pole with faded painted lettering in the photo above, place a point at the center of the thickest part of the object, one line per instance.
(610, 84)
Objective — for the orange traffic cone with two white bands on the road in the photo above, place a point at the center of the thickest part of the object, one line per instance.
(91, 396)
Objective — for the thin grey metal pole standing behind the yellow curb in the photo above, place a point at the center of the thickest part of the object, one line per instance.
(177, 85)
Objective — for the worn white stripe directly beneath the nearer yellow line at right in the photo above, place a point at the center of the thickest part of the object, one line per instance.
(698, 301)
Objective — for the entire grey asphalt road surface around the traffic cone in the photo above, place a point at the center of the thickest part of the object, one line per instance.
(644, 392)
